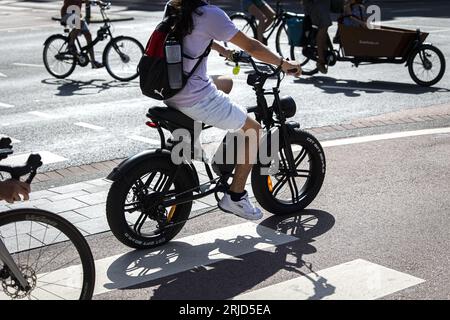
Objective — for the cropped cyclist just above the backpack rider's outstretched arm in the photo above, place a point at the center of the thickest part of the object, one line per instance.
(263, 12)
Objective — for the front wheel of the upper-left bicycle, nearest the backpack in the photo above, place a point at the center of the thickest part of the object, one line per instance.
(121, 58)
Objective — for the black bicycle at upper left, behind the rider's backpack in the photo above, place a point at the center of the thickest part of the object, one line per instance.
(120, 56)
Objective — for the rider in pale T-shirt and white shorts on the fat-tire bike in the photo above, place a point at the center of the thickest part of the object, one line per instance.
(202, 101)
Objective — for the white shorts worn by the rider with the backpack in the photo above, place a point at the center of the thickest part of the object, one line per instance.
(217, 110)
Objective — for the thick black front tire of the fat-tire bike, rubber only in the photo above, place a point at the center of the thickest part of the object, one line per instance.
(261, 189)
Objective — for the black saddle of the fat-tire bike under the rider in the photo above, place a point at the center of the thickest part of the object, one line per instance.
(170, 118)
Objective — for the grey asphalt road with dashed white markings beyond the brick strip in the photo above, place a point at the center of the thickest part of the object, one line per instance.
(93, 97)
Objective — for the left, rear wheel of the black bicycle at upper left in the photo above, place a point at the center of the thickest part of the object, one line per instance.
(58, 61)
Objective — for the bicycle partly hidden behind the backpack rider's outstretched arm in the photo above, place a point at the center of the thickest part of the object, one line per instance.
(246, 23)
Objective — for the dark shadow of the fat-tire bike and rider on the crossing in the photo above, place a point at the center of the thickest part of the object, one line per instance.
(175, 271)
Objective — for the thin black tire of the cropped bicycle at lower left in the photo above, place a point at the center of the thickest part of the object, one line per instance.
(68, 230)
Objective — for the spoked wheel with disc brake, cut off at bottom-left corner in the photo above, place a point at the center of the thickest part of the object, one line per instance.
(50, 252)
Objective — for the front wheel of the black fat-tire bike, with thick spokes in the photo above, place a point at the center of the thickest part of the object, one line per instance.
(283, 193)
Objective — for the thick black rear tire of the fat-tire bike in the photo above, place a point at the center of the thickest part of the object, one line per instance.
(118, 193)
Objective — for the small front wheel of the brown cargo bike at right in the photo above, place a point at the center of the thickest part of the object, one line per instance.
(426, 65)
